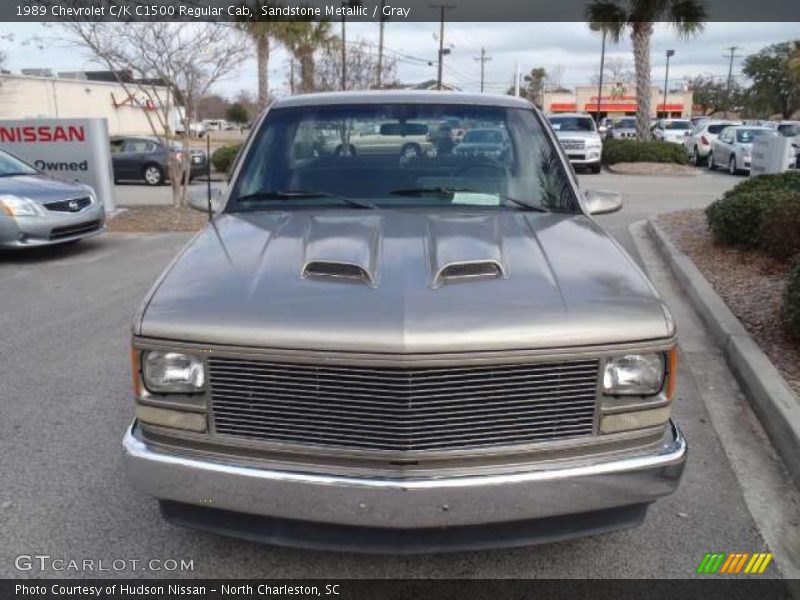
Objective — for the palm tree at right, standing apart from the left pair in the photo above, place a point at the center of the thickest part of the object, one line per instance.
(616, 16)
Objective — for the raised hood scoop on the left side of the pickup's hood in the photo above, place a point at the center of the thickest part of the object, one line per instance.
(342, 248)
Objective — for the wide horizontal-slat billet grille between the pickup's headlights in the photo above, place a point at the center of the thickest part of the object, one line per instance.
(403, 409)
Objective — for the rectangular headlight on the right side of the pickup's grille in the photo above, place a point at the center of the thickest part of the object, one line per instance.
(634, 375)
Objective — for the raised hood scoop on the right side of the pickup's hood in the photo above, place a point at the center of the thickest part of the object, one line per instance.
(465, 247)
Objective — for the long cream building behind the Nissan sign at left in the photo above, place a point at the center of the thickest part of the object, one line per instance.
(39, 93)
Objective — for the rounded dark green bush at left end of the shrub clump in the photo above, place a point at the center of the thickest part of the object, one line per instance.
(736, 220)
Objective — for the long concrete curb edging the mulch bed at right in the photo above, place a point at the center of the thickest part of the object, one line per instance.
(771, 397)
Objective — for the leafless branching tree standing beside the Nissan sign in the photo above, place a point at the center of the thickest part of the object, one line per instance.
(168, 68)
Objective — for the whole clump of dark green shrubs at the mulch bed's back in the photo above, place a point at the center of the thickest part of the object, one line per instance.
(761, 212)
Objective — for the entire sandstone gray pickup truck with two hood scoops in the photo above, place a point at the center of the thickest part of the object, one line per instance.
(404, 352)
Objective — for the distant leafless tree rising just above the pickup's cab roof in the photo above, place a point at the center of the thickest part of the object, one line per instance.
(362, 67)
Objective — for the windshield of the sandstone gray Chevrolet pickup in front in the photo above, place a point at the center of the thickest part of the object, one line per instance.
(312, 156)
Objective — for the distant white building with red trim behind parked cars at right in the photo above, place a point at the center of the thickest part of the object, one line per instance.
(617, 100)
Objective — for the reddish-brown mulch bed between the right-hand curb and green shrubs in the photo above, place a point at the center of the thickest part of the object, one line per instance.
(752, 284)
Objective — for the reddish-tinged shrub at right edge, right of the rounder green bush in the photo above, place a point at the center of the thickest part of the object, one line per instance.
(779, 235)
